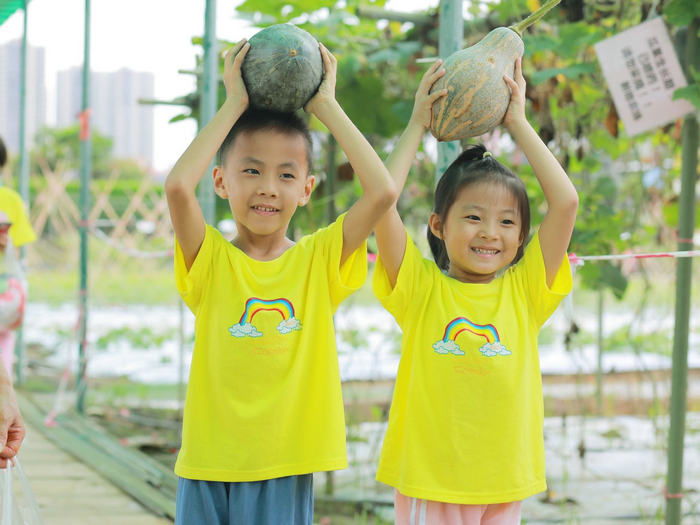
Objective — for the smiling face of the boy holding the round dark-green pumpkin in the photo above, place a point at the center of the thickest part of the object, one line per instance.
(264, 176)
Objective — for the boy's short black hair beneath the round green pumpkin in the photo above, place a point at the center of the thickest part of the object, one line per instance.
(255, 119)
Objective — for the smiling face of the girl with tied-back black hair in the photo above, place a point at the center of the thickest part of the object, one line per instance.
(481, 231)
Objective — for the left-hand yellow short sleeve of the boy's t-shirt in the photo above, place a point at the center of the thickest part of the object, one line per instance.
(190, 284)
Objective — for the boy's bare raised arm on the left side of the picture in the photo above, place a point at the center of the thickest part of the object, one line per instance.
(181, 183)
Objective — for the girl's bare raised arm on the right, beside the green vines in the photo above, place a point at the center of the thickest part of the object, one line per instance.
(562, 199)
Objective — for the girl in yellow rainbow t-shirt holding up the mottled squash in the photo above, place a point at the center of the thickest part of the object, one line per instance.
(464, 442)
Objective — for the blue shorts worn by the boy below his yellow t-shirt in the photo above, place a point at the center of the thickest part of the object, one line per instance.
(280, 501)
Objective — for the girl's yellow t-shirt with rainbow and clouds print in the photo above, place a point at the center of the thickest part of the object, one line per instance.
(465, 424)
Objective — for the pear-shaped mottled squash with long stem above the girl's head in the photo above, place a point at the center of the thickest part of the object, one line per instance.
(477, 96)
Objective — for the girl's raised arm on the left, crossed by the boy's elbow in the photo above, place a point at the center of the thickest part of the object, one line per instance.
(390, 232)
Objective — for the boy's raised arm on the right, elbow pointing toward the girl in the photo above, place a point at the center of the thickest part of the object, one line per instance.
(378, 191)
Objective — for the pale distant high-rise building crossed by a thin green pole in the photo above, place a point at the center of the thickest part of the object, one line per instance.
(115, 111)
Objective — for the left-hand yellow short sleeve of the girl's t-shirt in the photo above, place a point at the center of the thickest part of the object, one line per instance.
(413, 274)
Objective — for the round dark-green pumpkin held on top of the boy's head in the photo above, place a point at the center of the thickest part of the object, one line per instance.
(283, 68)
